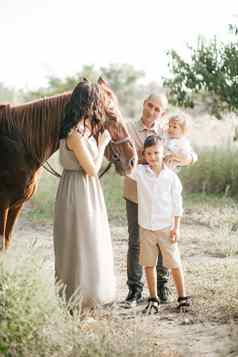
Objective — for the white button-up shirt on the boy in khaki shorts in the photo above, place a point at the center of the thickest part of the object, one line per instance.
(159, 197)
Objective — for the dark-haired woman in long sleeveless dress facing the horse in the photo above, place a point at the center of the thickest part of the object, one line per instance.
(82, 241)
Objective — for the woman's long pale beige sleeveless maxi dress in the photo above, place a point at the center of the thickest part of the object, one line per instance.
(82, 240)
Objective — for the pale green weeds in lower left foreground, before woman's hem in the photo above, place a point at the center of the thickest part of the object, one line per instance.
(34, 320)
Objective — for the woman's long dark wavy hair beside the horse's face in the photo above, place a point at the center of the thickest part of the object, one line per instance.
(86, 103)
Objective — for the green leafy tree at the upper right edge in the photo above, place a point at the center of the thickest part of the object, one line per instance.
(211, 73)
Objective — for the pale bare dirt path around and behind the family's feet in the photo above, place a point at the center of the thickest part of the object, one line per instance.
(171, 334)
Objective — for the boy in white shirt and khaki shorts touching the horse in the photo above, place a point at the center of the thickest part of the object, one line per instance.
(160, 211)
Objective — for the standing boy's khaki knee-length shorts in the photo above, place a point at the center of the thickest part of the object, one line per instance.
(151, 242)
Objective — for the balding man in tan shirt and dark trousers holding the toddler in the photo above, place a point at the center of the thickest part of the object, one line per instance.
(154, 108)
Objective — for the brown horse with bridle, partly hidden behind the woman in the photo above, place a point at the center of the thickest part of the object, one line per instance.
(29, 135)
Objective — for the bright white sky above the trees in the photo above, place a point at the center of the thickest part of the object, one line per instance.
(54, 37)
